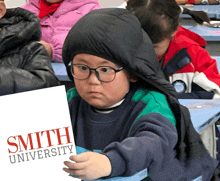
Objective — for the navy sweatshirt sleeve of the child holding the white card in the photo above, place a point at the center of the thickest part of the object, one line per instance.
(150, 145)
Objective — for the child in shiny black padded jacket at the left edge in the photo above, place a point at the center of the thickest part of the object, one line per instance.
(24, 63)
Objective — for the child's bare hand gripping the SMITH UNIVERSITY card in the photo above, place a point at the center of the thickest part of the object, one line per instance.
(88, 166)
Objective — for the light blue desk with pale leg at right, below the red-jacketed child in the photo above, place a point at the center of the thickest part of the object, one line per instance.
(204, 115)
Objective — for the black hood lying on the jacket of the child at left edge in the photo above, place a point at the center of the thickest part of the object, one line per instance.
(18, 27)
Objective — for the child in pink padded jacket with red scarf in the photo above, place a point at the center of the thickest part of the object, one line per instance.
(56, 19)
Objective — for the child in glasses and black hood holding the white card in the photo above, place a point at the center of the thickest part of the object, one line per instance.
(123, 126)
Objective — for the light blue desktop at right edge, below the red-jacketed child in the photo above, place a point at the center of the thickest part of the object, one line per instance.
(203, 112)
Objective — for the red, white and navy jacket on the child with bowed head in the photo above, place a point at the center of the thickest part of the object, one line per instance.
(190, 68)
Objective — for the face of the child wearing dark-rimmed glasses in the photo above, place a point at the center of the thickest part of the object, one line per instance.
(97, 93)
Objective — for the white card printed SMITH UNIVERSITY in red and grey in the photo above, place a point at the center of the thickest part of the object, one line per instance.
(36, 135)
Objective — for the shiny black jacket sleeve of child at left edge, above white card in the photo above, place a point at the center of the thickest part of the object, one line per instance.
(29, 71)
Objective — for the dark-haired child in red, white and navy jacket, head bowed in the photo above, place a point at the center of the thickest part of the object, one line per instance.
(187, 65)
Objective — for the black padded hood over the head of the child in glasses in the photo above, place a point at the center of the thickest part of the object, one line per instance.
(116, 35)
